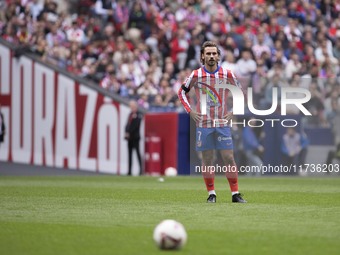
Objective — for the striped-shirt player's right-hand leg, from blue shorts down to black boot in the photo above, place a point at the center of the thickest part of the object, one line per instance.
(224, 144)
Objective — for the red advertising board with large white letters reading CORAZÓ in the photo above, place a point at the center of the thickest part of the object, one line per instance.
(52, 120)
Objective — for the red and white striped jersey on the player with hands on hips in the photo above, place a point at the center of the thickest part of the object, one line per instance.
(211, 100)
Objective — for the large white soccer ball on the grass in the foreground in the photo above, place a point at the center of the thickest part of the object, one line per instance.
(170, 235)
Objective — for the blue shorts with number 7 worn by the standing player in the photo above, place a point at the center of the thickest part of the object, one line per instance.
(218, 138)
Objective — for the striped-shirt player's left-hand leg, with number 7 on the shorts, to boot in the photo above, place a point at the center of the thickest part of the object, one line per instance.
(204, 143)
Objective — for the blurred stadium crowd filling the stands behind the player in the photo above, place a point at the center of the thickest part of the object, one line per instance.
(145, 49)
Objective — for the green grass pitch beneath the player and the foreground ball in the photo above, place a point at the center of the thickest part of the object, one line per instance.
(117, 215)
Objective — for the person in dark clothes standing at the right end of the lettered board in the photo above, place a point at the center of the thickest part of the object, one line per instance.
(132, 134)
